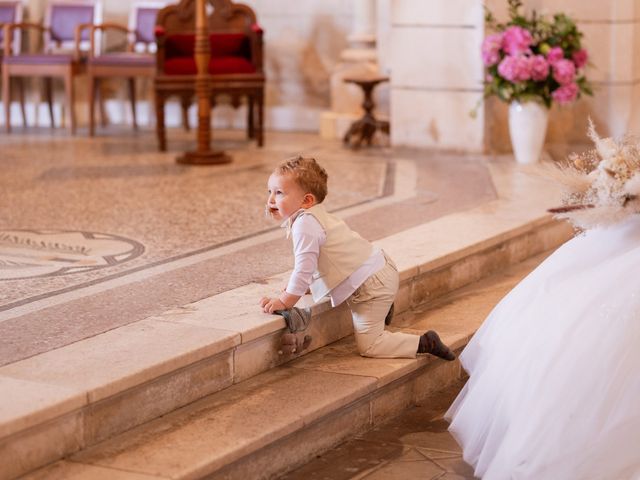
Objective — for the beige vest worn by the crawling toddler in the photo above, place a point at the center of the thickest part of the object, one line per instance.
(343, 252)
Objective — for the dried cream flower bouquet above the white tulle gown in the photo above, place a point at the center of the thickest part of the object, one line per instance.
(602, 186)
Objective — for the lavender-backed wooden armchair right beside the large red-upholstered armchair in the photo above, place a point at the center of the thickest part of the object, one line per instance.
(137, 59)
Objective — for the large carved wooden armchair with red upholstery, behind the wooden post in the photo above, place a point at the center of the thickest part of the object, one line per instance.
(235, 65)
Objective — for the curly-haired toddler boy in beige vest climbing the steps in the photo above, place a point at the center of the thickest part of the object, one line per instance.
(331, 259)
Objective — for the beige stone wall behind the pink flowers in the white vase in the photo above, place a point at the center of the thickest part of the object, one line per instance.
(611, 34)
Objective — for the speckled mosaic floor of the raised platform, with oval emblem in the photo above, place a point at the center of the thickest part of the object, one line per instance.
(98, 233)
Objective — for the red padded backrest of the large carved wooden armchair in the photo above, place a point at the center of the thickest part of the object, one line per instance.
(222, 45)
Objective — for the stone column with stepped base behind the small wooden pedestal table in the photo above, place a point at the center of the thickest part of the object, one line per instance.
(360, 58)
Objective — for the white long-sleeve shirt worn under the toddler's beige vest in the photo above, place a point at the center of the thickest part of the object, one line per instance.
(308, 236)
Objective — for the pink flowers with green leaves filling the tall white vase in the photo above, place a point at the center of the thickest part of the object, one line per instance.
(534, 58)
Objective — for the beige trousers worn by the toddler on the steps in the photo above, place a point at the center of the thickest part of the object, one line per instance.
(369, 306)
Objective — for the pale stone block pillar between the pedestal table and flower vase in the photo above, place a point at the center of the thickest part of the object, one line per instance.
(436, 74)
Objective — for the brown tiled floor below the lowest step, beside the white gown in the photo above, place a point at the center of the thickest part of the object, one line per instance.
(415, 445)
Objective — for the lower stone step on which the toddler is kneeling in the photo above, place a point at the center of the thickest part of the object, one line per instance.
(282, 418)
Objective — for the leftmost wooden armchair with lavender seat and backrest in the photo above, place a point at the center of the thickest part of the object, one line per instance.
(61, 55)
